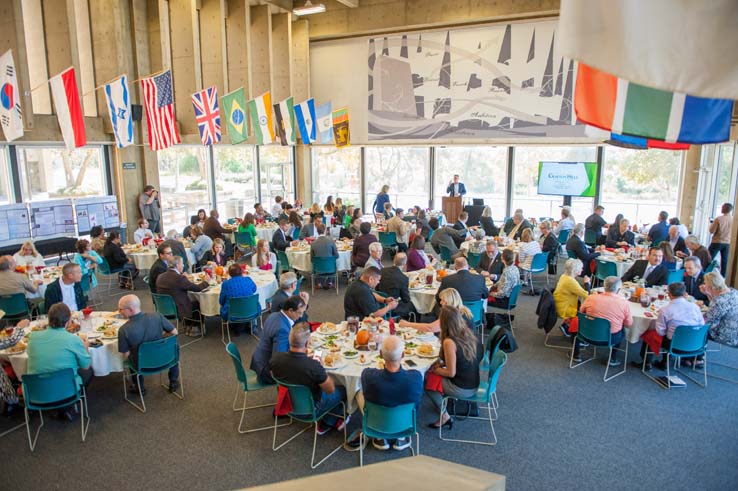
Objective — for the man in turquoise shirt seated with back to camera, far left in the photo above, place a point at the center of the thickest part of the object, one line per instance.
(55, 349)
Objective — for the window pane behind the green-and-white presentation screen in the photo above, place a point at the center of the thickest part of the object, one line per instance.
(525, 181)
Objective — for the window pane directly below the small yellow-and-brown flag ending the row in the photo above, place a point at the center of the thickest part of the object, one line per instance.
(337, 173)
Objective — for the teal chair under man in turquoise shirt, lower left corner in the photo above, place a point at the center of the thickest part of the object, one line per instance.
(53, 390)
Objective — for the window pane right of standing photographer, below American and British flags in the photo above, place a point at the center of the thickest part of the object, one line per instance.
(183, 176)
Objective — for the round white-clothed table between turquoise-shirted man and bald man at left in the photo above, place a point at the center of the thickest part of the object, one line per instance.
(104, 359)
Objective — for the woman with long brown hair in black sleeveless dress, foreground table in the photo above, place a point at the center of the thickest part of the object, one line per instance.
(458, 364)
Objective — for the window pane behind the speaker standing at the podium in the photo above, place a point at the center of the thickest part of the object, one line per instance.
(483, 170)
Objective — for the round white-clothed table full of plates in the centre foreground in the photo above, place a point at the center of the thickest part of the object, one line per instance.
(348, 373)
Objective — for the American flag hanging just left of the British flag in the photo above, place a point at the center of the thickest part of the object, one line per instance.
(160, 118)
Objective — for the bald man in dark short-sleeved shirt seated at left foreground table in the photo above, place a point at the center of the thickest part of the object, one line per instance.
(142, 327)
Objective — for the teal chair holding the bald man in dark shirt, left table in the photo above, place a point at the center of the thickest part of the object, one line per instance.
(154, 357)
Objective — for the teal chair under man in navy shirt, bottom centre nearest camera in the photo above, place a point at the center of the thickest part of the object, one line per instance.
(388, 423)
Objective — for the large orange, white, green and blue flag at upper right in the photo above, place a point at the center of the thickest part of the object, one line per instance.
(623, 107)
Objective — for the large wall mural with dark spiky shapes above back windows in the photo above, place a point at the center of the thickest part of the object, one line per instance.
(505, 81)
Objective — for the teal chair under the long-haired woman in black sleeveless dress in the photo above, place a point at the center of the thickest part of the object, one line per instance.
(485, 397)
